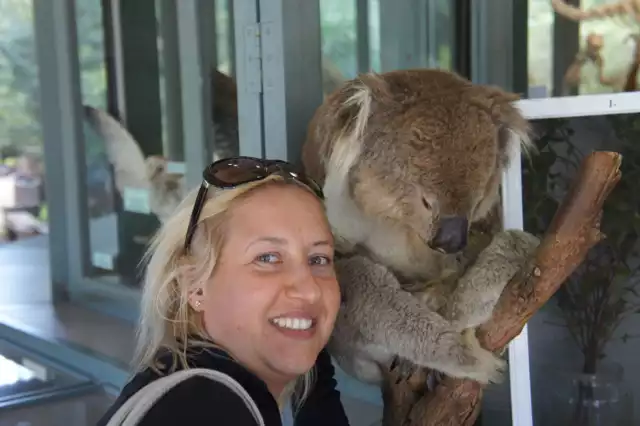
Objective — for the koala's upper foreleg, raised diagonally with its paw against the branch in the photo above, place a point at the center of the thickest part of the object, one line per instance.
(479, 289)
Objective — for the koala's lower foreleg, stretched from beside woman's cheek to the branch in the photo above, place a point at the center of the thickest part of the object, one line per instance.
(391, 322)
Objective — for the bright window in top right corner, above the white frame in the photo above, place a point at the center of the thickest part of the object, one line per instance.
(585, 49)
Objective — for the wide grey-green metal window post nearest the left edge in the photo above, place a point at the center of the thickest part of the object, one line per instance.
(57, 53)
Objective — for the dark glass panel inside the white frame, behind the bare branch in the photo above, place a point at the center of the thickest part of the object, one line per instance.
(585, 337)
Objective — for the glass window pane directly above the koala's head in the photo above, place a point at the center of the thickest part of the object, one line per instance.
(379, 35)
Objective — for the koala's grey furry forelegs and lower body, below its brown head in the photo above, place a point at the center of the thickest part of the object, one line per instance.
(379, 320)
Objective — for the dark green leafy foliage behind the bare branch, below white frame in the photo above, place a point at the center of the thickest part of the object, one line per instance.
(603, 291)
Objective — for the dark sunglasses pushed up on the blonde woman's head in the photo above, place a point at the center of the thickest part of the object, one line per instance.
(235, 171)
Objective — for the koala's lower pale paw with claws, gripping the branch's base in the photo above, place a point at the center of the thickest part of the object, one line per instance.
(481, 365)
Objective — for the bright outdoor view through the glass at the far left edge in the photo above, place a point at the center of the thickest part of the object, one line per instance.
(23, 208)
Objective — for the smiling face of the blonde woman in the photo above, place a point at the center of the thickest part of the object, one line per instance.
(273, 298)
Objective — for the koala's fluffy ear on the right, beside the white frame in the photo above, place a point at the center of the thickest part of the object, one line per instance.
(499, 104)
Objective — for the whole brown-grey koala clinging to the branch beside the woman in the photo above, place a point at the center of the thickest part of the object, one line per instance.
(410, 161)
